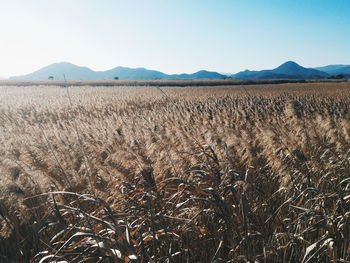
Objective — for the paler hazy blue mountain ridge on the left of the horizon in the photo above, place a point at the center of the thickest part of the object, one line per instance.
(71, 71)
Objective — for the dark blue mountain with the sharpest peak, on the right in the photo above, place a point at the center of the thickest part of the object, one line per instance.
(288, 70)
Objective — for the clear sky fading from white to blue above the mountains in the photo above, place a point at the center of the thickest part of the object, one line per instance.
(173, 36)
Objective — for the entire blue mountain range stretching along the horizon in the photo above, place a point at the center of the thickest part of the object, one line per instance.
(288, 70)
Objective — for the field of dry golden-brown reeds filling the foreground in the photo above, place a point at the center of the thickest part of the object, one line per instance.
(253, 173)
